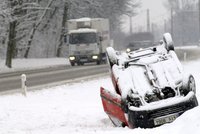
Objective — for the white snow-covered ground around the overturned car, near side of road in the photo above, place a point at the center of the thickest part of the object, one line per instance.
(76, 108)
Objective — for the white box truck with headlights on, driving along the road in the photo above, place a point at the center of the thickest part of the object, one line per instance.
(87, 40)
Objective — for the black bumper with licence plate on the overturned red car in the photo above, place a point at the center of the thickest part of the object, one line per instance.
(148, 117)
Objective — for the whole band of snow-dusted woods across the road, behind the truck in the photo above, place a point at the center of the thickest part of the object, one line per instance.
(35, 28)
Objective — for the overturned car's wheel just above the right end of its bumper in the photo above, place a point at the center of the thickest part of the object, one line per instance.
(188, 84)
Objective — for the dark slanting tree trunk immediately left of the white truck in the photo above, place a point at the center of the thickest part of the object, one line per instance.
(65, 13)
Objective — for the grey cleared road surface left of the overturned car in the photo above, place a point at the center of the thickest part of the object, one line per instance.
(39, 78)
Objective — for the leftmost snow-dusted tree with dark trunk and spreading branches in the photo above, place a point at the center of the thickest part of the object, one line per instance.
(20, 15)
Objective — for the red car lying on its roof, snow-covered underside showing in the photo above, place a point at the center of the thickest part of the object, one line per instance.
(150, 87)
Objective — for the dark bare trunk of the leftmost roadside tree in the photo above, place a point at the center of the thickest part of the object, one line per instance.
(11, 44)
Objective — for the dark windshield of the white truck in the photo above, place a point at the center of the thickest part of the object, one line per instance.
(78, 38)
